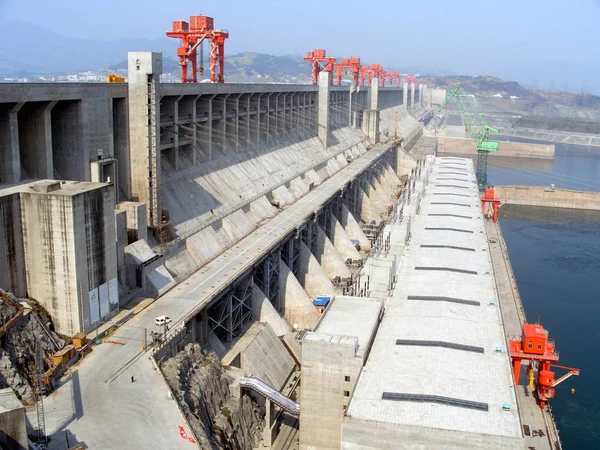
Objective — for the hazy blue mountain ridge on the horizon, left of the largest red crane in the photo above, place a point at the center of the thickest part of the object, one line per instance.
(28, 48)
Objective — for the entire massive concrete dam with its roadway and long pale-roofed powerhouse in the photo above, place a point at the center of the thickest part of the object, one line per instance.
(257, 266)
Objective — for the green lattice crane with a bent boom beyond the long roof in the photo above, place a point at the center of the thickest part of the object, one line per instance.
(477, 127)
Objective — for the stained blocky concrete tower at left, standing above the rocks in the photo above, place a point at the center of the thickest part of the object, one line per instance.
(70, 252)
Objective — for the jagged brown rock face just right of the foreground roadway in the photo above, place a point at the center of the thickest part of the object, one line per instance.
(201, 386)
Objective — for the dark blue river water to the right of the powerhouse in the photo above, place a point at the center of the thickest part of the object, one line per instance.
(556, 259)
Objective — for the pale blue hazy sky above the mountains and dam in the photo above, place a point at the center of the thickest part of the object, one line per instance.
(464, 36)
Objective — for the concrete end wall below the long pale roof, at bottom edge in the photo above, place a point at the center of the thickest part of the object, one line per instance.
(366, 434)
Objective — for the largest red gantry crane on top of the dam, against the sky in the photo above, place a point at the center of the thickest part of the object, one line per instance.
(199, 29)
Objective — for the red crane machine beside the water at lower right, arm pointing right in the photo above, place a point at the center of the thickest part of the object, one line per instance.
(535, 346)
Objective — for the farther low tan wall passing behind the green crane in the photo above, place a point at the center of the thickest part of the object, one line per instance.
(514, 149)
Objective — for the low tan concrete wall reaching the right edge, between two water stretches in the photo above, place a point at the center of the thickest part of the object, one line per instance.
(542, 196)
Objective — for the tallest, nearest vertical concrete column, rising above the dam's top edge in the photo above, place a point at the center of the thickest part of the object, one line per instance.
(144, 69)
